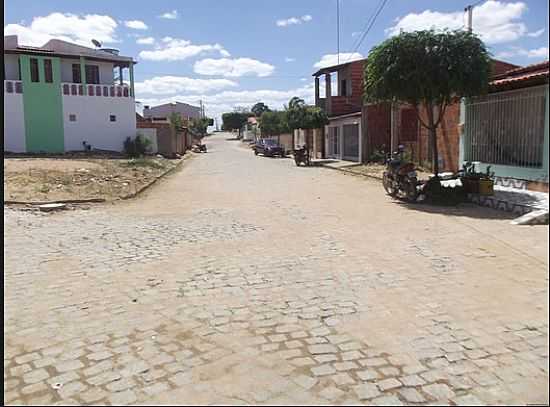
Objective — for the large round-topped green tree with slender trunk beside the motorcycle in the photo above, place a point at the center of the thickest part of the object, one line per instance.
(428, 70)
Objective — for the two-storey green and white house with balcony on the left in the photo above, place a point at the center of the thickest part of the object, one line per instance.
(65, 97)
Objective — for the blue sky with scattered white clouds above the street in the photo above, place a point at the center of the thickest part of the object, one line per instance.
(240, 52)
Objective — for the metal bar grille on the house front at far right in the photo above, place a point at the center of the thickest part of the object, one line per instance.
(507, 128)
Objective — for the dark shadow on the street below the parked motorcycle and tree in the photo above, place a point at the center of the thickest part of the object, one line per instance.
(465, 210)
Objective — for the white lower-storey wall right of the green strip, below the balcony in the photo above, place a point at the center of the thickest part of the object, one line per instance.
(93, 124)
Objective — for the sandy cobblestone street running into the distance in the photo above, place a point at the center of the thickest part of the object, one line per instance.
(244, 279)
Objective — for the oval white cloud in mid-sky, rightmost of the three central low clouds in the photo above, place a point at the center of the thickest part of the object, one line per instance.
(233, 67)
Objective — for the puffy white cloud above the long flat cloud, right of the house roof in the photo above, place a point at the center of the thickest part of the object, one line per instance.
(175, 49)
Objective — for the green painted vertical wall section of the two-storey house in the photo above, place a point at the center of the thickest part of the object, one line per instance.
(42, 106)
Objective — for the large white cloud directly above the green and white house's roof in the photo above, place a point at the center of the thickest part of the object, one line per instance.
(67, 27)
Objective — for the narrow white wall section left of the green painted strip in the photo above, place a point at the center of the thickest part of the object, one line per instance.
(14, 123)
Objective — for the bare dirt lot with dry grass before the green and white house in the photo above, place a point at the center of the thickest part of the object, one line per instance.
(55, 179)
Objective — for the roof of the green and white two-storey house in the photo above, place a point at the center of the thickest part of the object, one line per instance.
(63, 49)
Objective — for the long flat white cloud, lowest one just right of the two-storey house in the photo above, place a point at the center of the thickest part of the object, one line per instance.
(164, 85)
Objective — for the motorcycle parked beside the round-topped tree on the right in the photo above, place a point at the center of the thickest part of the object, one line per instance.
(400, 179)
